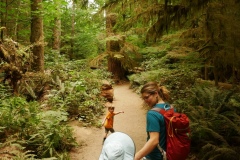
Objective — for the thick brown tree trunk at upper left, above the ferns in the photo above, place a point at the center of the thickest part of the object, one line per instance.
(37, 35)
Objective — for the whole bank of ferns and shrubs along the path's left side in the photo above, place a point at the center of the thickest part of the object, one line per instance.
(41, 127)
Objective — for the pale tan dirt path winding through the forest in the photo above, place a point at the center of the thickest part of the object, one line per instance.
(131, 122)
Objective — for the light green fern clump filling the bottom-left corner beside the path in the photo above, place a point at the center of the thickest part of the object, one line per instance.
(26, 127)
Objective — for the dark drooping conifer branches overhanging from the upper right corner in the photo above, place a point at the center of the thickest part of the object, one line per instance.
(210, 29)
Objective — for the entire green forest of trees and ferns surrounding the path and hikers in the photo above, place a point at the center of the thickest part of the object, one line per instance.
(178, 43)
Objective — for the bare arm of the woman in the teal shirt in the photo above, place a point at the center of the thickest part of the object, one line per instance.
(149, 146)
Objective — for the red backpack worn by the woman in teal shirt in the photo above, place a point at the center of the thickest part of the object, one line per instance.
(177, 134)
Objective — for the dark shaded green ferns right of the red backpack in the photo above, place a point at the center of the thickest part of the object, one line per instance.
(214, 122)
